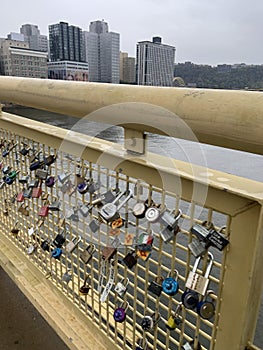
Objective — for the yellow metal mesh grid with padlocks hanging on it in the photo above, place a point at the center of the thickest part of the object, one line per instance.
(68, 272)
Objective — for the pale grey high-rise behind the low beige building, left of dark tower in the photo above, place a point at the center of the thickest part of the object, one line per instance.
(32, 35)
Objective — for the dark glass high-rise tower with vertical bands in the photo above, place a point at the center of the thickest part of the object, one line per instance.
(65, 42)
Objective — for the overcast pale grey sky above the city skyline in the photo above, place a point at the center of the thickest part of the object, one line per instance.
(203, 31)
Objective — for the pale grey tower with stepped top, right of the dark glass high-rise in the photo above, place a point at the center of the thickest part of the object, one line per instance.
(102, 50)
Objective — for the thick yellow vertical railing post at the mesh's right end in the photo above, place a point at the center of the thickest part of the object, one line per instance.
(243, 277)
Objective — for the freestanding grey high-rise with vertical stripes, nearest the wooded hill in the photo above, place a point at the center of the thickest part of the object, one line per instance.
(154, 63)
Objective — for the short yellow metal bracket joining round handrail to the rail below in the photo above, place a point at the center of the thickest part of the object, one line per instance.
(134, 141)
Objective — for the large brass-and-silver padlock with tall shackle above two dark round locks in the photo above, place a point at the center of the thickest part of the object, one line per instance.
(196, 281)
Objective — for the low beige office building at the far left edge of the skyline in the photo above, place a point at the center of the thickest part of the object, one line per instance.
(17, 59)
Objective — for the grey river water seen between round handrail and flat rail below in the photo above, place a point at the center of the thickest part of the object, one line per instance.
(234, 162)
